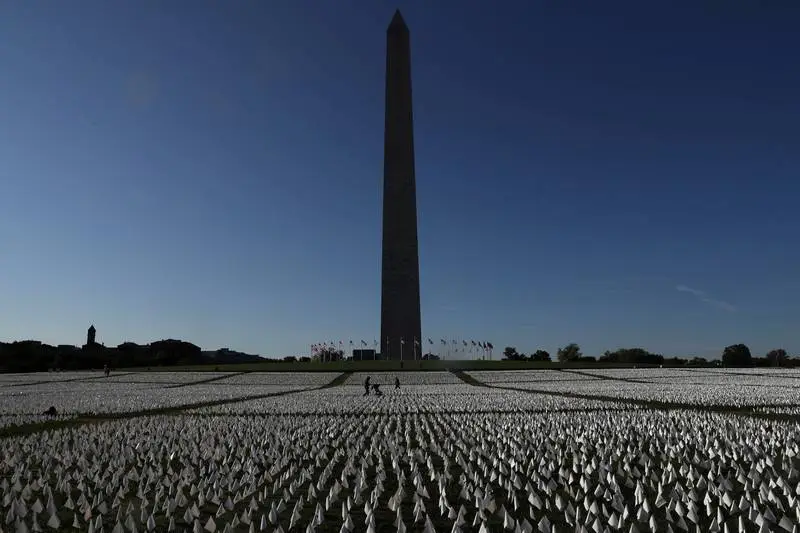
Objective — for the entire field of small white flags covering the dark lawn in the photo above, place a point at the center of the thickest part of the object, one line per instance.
(590, 450)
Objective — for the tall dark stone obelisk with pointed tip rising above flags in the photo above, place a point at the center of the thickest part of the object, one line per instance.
(400, 309)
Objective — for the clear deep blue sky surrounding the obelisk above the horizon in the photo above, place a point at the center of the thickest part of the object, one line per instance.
(611, 174)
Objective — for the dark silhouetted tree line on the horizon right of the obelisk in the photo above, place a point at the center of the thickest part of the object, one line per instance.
(738, 355)
